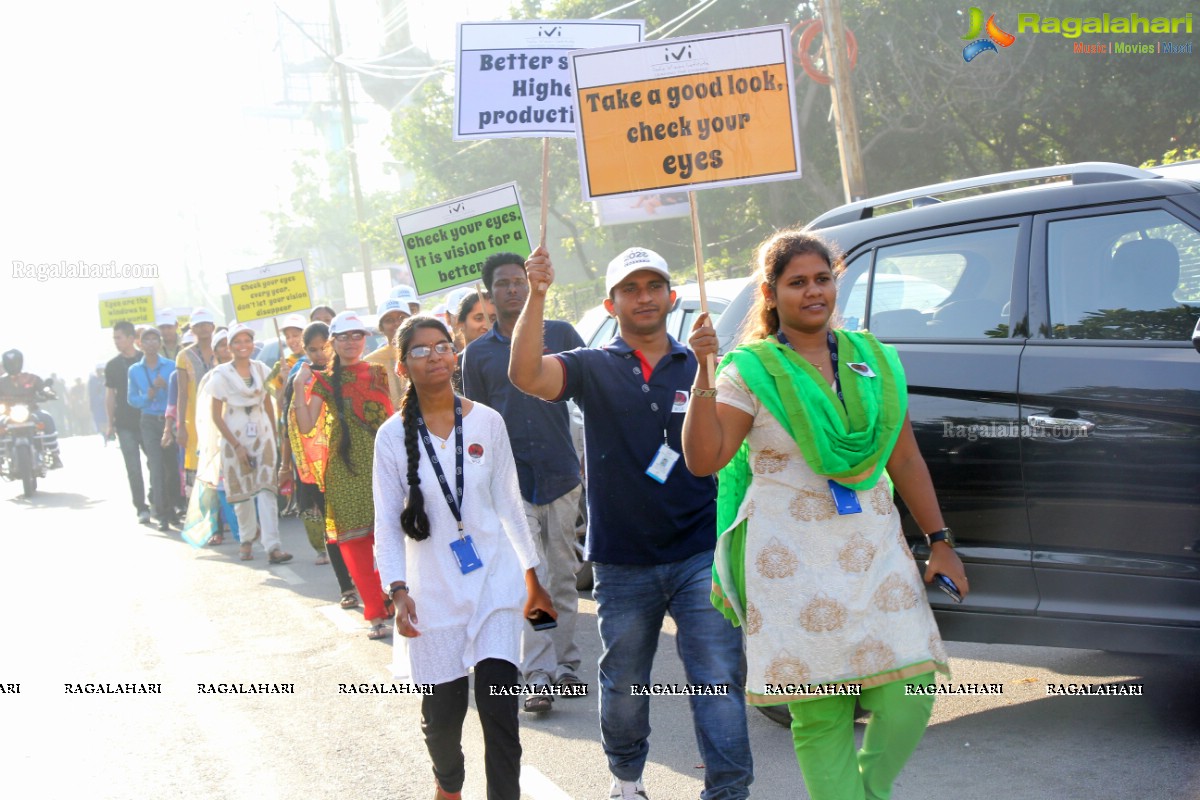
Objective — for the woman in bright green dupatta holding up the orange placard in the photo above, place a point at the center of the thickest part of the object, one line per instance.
(802, 423)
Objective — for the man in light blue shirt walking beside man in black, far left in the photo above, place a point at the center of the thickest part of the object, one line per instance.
(148, 394)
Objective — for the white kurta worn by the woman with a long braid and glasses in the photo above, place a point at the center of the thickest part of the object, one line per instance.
(463, 618)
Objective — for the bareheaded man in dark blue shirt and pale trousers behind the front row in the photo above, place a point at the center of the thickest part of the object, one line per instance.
(548, 470)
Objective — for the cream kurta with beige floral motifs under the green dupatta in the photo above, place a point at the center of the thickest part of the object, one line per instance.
(830, 598)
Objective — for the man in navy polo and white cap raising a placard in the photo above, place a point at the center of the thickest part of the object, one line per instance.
(652, 525)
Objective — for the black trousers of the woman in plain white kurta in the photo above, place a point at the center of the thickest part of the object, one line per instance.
(442, 718)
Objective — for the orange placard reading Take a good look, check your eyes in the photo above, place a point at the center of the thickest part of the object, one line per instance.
(722, 115)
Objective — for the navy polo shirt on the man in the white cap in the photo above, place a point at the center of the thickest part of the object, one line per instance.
(632, 518)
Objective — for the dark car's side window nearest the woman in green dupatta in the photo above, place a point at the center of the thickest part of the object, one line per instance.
(949, 287)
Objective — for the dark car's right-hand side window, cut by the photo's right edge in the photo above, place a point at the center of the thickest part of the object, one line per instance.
(1124, 276)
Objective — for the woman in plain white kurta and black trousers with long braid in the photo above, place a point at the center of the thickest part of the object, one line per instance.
(459, 563)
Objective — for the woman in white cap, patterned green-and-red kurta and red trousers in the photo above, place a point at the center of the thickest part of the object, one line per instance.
(351, 400)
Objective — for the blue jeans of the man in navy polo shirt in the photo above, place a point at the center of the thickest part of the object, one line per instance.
(631, 605)
